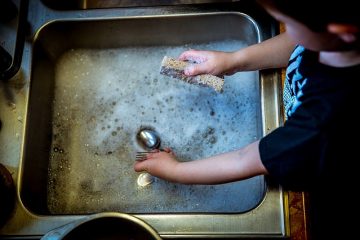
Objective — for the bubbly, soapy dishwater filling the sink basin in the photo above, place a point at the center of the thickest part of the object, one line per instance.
(104, 97)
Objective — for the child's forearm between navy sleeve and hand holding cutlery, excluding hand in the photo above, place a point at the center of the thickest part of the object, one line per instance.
(232, 166)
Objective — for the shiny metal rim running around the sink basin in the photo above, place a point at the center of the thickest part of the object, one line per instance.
(273, 193)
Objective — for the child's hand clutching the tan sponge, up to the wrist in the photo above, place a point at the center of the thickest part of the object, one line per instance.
(211, 62)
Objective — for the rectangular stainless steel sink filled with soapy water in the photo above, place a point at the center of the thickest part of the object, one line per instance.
(95, 84)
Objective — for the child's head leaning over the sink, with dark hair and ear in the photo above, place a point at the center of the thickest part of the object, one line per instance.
(331, 26)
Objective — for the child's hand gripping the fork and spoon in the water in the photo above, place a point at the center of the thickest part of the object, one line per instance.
(161, 164)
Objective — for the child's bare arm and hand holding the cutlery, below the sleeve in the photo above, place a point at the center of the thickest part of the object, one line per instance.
(226, 167)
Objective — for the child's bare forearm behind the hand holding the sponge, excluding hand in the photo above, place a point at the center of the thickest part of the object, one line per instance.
(272, 53)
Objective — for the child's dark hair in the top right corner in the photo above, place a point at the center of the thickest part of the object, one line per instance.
(316, 14)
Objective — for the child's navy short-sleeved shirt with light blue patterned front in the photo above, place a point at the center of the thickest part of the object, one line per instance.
(316, 150)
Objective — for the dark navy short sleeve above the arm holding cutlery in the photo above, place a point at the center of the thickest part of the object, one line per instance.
(294, 153)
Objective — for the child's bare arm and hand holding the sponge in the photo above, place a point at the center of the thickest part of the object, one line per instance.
(272, 53)
